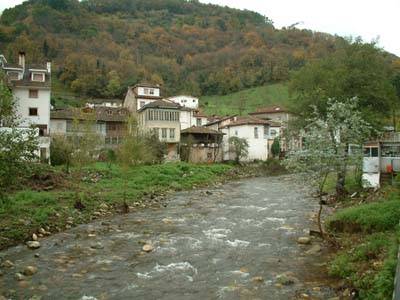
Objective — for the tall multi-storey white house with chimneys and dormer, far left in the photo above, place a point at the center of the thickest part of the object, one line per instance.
(31, 89)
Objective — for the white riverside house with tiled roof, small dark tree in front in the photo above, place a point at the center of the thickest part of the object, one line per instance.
(258, 133)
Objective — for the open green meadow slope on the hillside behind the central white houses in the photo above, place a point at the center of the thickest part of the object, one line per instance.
(249, 100)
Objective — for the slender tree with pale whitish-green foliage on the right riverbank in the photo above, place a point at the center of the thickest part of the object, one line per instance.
(325, 148)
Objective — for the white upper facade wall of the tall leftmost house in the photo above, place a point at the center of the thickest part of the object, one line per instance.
(42, 103)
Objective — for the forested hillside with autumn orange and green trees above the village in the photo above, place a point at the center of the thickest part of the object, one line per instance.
(99, 47)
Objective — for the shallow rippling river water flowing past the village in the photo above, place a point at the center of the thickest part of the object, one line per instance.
(228, 242)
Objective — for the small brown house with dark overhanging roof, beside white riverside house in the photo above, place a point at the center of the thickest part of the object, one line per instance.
(201, 145)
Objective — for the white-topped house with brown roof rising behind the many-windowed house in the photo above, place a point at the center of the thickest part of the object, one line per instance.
(140, 95)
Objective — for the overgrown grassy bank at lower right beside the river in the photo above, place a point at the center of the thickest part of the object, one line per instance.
(368, 235)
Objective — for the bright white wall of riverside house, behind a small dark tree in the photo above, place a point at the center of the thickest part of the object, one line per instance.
(258, 147)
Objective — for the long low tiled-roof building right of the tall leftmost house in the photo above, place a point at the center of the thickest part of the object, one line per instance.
(109, 123)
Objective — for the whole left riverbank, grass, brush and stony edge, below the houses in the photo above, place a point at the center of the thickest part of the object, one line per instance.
(52, 200)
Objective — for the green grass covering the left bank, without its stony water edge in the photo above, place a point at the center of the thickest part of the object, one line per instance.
(25, 211)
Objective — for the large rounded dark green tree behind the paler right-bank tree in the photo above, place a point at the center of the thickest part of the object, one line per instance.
(355, 69)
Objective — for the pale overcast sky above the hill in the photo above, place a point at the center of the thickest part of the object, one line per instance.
(370, 19)
